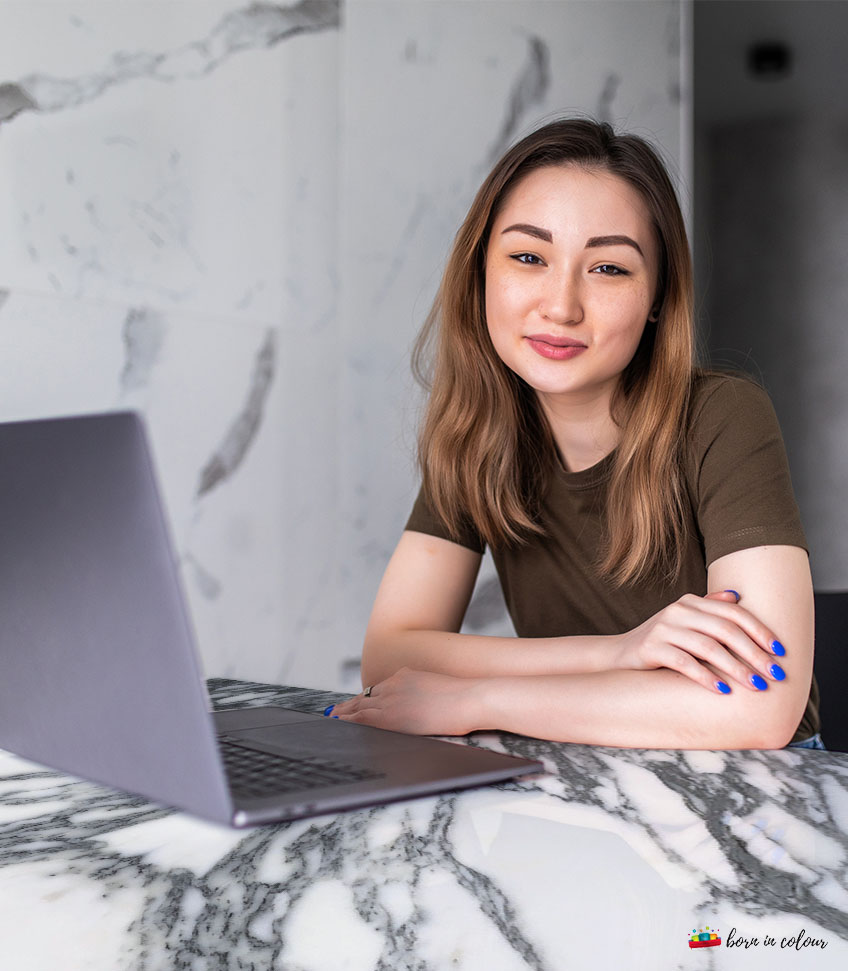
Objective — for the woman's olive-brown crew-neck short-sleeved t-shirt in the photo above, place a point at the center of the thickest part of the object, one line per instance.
(740, 496)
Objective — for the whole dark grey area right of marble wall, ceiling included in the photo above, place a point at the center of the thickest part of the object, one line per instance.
(771, 241)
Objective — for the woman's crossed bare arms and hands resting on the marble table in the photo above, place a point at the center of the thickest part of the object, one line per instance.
(652, 687)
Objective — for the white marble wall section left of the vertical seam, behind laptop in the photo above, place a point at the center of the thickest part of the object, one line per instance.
(168, 204)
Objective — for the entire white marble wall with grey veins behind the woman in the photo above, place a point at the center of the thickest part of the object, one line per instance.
(232, 216)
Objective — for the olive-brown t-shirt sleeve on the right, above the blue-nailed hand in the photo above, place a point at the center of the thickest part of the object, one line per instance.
(738, 474)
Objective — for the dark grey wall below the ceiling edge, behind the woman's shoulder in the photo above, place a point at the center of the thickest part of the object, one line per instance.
(778, 303)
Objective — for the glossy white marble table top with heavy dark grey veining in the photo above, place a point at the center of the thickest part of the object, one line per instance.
(608, 861)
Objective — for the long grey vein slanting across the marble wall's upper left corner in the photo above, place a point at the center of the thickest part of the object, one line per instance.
(258, 25)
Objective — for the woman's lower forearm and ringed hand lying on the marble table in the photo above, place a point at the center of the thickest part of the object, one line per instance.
(624, 708)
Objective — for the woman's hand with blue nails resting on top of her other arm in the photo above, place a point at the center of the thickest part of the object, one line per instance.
(711, 640)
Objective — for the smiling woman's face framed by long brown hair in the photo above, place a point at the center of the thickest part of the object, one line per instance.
(571, 276)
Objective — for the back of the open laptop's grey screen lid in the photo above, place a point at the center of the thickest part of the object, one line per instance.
(77, 497)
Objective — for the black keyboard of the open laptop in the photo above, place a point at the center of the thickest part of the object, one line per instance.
(255, 773)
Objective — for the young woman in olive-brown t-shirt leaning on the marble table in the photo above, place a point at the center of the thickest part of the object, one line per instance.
(639, 511)
